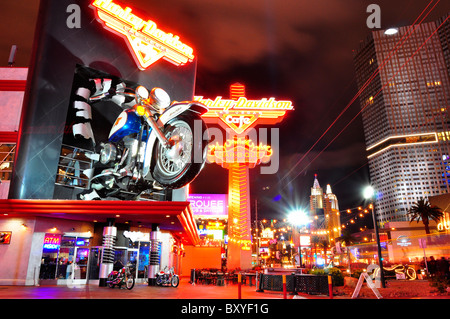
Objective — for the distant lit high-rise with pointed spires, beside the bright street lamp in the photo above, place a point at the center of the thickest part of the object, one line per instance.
(324, 209)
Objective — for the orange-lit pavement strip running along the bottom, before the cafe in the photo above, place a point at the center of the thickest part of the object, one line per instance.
(395, 290)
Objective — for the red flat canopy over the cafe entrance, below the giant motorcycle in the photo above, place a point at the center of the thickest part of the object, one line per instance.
(176, 217)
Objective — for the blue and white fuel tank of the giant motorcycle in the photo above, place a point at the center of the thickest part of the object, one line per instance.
(128, 122)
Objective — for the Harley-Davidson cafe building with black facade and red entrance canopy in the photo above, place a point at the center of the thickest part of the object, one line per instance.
(47, 235)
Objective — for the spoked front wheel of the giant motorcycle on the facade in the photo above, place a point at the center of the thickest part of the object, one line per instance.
(178, 165)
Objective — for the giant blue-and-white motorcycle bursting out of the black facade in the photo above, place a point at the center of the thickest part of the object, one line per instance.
(150, 146)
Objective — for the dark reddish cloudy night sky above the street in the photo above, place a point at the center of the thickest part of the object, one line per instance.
(289, 49)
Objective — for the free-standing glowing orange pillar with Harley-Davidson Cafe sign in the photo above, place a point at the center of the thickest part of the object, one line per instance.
(238, 154)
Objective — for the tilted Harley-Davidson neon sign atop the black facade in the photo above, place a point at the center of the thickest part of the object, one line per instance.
(145, 40)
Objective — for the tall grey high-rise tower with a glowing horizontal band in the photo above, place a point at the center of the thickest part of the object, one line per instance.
(405, 114)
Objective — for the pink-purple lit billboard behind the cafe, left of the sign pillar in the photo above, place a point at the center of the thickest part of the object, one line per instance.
(209, 205)
